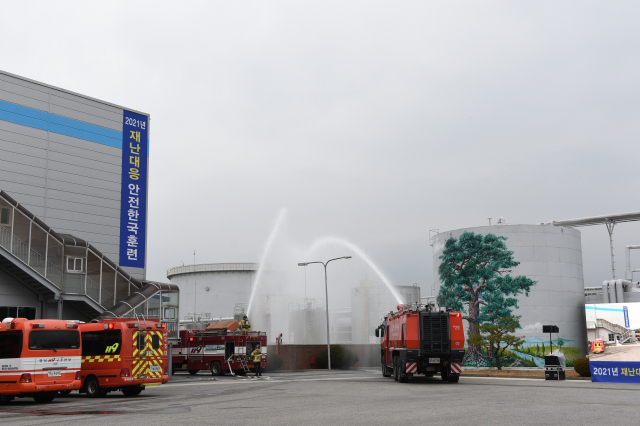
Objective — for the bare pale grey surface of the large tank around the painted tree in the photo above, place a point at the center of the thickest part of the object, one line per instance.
(552, 256)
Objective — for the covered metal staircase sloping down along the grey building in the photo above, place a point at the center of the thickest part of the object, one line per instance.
(36, 256)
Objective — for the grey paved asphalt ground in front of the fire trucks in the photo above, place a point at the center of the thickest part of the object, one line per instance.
(340, 398)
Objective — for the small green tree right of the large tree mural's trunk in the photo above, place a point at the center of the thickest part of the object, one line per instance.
(497, 338)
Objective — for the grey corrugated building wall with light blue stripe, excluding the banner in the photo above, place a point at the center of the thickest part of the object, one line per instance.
(71, 183)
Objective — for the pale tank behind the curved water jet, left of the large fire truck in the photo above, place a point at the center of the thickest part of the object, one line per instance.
(370, 302)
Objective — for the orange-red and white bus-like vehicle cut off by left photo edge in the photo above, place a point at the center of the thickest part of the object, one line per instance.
(39, 358)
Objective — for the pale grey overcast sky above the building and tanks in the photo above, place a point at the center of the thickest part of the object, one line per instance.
(370, 121)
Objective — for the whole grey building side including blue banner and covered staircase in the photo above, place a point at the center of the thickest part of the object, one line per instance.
(74, 172)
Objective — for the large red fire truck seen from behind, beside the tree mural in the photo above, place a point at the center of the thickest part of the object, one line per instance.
(418, 339)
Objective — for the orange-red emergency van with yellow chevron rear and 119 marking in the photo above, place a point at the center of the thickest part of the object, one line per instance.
(124, 354)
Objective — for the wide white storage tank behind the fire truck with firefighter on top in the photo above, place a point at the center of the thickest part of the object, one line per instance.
(213, 288)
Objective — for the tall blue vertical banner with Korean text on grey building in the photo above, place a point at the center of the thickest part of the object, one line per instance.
(133, 195)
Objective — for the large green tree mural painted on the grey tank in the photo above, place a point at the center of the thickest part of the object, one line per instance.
(475, 276)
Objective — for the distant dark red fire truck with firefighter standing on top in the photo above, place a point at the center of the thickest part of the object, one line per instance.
(218, 351)
